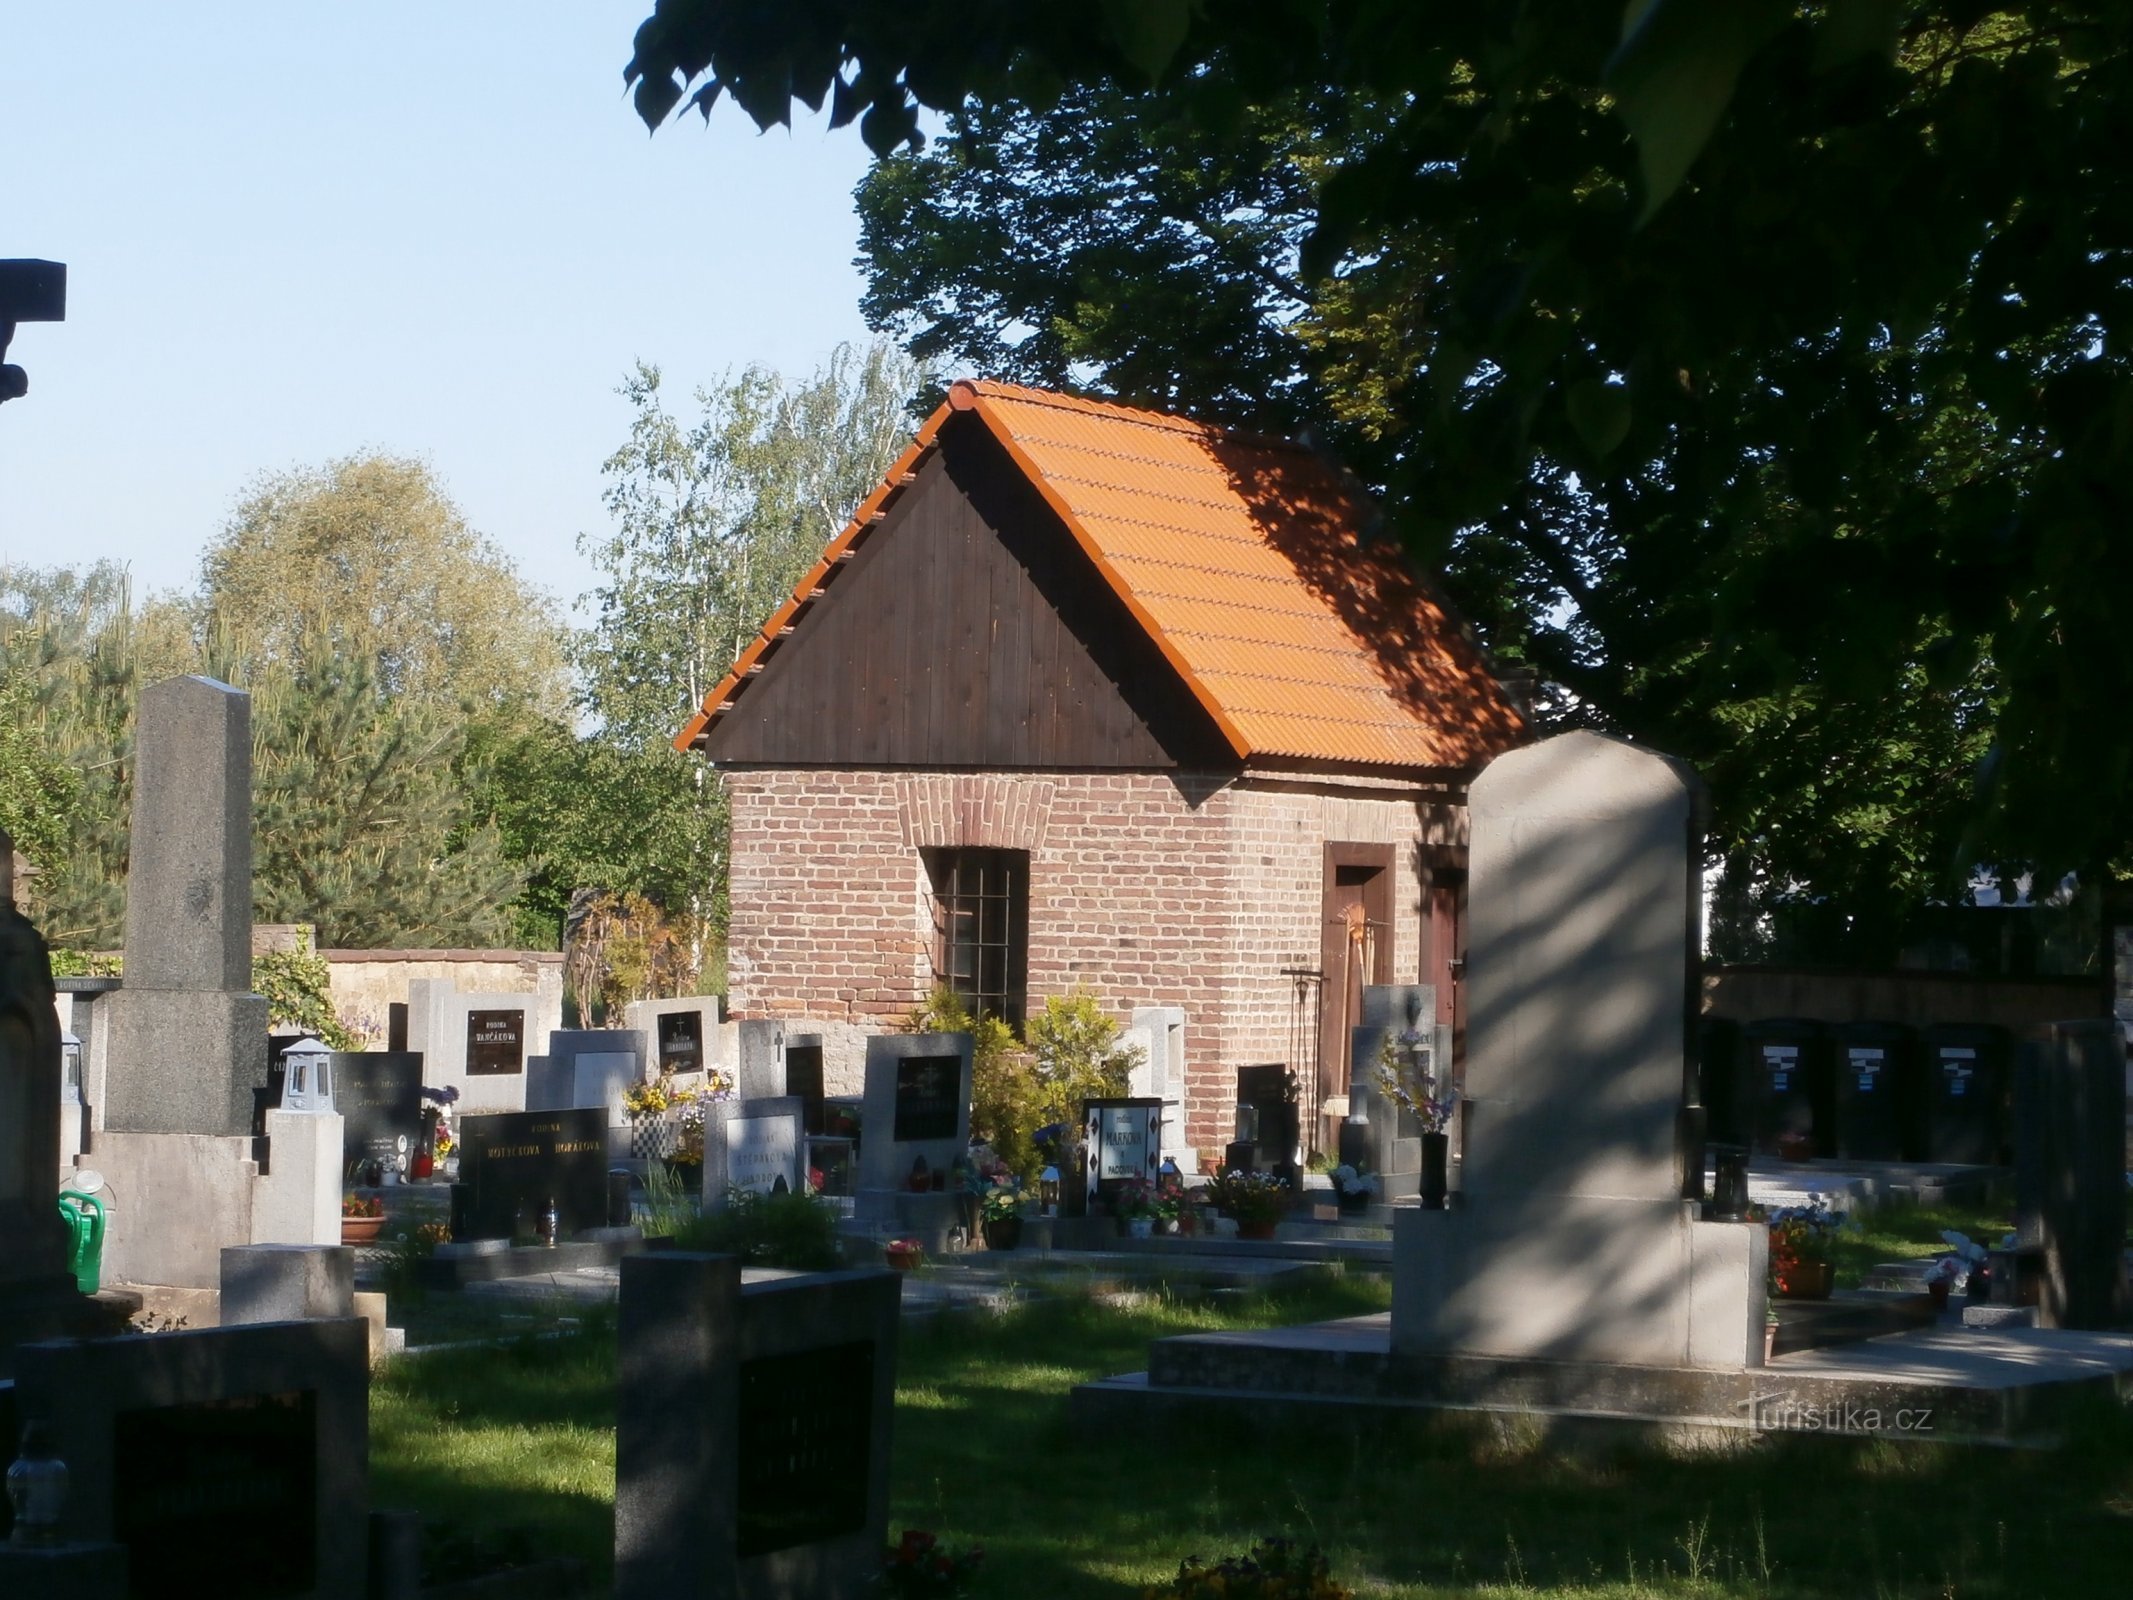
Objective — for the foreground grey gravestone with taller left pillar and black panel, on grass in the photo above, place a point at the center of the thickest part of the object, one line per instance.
(752, 1441)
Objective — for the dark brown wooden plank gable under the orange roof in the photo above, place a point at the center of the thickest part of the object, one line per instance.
(969, 630)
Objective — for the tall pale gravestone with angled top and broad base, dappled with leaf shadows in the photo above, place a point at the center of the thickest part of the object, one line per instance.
(1573, 1241)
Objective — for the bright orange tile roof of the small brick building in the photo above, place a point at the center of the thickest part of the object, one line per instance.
(1245, 564)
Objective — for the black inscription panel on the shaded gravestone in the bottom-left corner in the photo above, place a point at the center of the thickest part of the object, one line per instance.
(221, 1497)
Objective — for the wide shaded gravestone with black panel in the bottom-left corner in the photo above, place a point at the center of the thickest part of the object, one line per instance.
(231, 1462)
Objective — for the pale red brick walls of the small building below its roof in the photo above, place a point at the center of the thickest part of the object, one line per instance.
(1146, 889)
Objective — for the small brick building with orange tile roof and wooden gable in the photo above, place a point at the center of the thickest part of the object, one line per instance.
(1091, 697)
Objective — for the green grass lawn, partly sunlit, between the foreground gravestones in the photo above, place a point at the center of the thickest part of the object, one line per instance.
(522, 1439)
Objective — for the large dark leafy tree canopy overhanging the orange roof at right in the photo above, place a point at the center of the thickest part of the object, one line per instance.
(1761, 370)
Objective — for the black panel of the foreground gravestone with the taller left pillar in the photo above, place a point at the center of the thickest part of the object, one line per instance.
(803, 1450)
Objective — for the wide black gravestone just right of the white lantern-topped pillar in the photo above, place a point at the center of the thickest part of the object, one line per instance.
(513, 1164)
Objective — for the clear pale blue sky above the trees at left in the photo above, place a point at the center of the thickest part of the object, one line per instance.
(300, 231)
